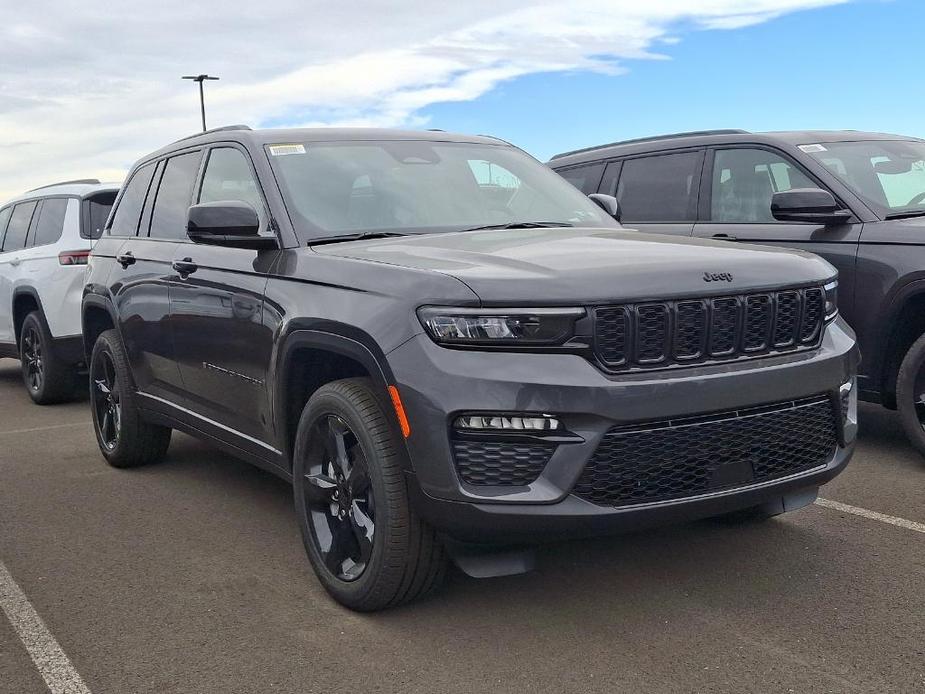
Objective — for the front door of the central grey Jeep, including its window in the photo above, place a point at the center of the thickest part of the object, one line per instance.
(223, 345)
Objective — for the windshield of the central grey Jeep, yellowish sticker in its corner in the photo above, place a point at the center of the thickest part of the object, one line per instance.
(339, 188)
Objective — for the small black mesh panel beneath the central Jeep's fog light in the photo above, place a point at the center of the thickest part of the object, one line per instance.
(508, 463)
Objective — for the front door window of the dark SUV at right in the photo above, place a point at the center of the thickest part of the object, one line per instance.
(744, 181)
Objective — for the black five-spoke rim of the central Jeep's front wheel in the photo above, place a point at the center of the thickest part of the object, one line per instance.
(338, 497)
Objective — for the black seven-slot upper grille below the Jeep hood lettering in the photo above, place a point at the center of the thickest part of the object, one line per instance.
(666, 333)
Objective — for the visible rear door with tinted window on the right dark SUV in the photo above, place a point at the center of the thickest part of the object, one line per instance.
(657, 193)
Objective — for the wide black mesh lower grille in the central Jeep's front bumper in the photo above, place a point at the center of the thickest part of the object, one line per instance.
(661, 461)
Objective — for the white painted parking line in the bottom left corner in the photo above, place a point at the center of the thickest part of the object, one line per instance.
(51, 662)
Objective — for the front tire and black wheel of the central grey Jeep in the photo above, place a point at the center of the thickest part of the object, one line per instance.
(365, 542)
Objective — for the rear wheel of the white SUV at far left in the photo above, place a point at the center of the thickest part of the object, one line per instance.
(47, 378)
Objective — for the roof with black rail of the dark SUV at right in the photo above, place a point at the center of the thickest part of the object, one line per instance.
(714, 137)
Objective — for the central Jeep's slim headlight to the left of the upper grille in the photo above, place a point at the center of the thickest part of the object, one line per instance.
(527, 326)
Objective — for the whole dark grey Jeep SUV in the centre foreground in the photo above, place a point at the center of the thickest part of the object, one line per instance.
(444, 346)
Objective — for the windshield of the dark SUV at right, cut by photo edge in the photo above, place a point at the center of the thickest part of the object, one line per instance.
(888, 174)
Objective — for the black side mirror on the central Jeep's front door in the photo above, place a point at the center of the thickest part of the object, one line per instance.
(229, 223)
